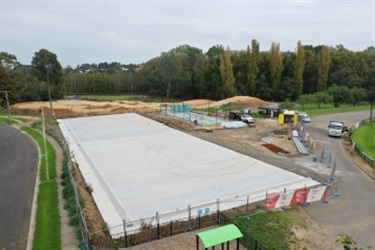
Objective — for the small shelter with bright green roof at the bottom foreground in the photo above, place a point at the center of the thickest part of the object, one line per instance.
(219, 235)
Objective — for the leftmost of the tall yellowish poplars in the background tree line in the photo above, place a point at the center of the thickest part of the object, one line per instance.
(226, 73)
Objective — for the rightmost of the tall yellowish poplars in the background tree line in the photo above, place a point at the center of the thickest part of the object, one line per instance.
(324, 61)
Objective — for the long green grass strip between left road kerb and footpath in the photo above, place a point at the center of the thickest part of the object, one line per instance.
(47, 233)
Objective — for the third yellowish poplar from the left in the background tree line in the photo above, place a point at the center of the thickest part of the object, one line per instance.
(276, 68)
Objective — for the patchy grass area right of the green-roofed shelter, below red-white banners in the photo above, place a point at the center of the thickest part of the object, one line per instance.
(272, 229)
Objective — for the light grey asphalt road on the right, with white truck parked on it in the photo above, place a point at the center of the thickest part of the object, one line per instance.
(353, 212)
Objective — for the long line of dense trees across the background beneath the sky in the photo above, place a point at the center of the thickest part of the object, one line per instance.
(185, 72)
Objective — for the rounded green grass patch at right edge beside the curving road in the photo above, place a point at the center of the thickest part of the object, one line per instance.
(364, 137)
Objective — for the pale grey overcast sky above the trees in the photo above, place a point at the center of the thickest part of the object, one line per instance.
(83, 31)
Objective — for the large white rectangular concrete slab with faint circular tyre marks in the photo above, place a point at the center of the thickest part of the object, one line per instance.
(138, 167)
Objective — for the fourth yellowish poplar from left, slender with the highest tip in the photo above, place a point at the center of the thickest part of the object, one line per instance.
(299, 68)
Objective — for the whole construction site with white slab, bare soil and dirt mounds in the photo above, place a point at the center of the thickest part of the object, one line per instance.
(150, 164)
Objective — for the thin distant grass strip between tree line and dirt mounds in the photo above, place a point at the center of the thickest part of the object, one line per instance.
(143, 98)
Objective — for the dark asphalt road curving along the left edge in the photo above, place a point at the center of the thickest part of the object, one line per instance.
(18, 169)
